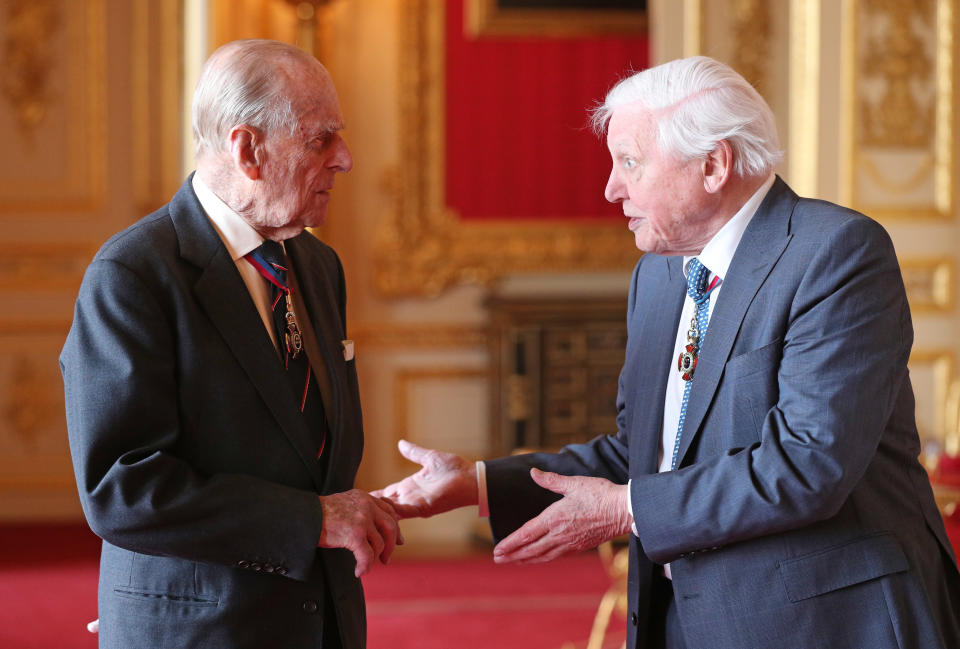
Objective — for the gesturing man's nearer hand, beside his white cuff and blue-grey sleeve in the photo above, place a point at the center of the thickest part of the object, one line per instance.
(592, 510)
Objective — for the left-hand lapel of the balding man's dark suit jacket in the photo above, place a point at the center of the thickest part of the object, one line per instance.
(223, 295)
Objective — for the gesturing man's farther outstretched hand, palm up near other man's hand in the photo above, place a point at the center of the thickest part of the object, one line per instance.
(445, 482)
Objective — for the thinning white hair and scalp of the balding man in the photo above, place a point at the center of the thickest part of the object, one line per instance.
(243, 83)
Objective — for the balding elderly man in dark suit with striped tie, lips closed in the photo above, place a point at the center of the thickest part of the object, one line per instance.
(212, 401)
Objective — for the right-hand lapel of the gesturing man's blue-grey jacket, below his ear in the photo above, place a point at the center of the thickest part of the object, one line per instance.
(763, 242)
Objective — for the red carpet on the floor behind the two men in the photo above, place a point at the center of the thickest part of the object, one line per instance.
(48, 583)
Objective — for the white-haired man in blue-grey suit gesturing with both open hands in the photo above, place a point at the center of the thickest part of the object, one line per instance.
(765, 462)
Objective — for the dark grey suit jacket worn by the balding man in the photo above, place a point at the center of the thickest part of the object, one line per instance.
(192, 461)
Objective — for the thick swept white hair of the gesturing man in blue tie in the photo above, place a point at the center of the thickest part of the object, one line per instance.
(697, 102)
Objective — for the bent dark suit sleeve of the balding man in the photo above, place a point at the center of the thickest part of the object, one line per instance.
(137, 490)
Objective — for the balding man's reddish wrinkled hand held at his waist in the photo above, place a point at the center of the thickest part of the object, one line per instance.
(361, 523)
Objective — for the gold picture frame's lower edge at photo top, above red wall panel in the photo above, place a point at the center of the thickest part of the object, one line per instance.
(487, 18)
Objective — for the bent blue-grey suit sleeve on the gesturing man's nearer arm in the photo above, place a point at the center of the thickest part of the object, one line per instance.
(833, 381)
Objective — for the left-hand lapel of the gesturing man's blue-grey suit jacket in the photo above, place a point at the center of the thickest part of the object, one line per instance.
(652, 359)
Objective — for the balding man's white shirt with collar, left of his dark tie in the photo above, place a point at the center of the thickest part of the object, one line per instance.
(240, 238)
